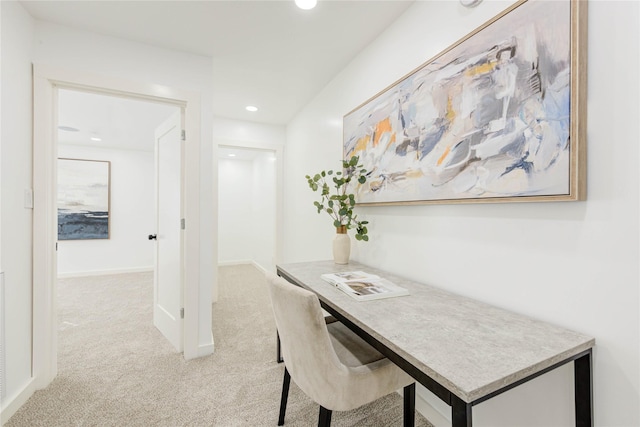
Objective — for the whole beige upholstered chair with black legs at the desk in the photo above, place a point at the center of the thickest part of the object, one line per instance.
(330, 364)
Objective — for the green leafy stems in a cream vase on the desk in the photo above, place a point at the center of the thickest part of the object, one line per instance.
(339, 204)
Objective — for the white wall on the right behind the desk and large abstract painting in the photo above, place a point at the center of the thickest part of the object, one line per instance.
(574, 264)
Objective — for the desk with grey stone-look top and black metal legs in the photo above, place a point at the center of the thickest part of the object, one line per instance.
(463, 350)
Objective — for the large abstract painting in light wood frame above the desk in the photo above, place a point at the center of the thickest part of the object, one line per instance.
(497, 117)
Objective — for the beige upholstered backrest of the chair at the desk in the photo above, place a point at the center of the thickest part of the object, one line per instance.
(306, 346)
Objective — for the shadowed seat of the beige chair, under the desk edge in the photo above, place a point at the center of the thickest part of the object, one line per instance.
(352, 350)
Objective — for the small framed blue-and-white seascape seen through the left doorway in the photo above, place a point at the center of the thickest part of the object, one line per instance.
(83, 199)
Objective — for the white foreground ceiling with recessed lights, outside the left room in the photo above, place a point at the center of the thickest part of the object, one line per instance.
(265, 53)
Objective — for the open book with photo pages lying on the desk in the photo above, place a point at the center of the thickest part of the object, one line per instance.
(364, 286)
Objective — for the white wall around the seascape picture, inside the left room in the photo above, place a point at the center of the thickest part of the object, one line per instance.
(132, 216)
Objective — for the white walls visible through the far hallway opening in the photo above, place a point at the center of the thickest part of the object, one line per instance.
(246, 219)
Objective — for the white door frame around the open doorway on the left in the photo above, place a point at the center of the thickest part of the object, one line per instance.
(46, 80)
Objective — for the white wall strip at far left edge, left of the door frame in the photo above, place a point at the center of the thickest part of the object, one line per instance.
(15, 177)
